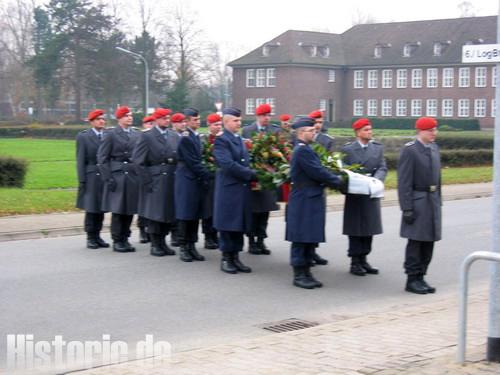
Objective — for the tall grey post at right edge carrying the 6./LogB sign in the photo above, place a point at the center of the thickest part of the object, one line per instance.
(493, 352)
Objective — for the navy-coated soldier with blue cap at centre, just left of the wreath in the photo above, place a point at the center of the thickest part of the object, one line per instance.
(232, 206)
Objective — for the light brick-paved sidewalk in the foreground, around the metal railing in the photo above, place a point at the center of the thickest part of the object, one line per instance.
(410, 340)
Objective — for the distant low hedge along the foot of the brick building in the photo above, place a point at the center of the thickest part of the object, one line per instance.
(409, 123)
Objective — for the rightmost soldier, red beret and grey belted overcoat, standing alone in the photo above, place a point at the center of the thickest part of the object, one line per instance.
(419, 191)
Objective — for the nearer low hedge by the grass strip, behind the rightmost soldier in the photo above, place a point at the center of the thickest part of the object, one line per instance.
(452, 158)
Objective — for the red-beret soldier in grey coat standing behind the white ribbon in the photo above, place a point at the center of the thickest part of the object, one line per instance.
(362, 214)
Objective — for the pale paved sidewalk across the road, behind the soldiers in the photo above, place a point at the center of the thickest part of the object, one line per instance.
(68, 224)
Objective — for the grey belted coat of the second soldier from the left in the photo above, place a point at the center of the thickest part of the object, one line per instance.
(121, 189)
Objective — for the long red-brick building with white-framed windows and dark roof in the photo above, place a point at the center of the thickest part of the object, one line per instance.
(388, 70)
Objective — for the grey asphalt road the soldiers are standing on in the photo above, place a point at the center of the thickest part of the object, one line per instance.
(56, 286)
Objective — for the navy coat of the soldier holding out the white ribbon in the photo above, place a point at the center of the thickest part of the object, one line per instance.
(305, 220)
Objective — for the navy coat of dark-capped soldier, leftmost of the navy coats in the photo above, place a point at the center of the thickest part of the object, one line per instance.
(191, 178)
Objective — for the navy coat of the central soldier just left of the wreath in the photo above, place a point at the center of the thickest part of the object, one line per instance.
(232, 206)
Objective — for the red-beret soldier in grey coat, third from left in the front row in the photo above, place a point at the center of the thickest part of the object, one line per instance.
(156, 159)
